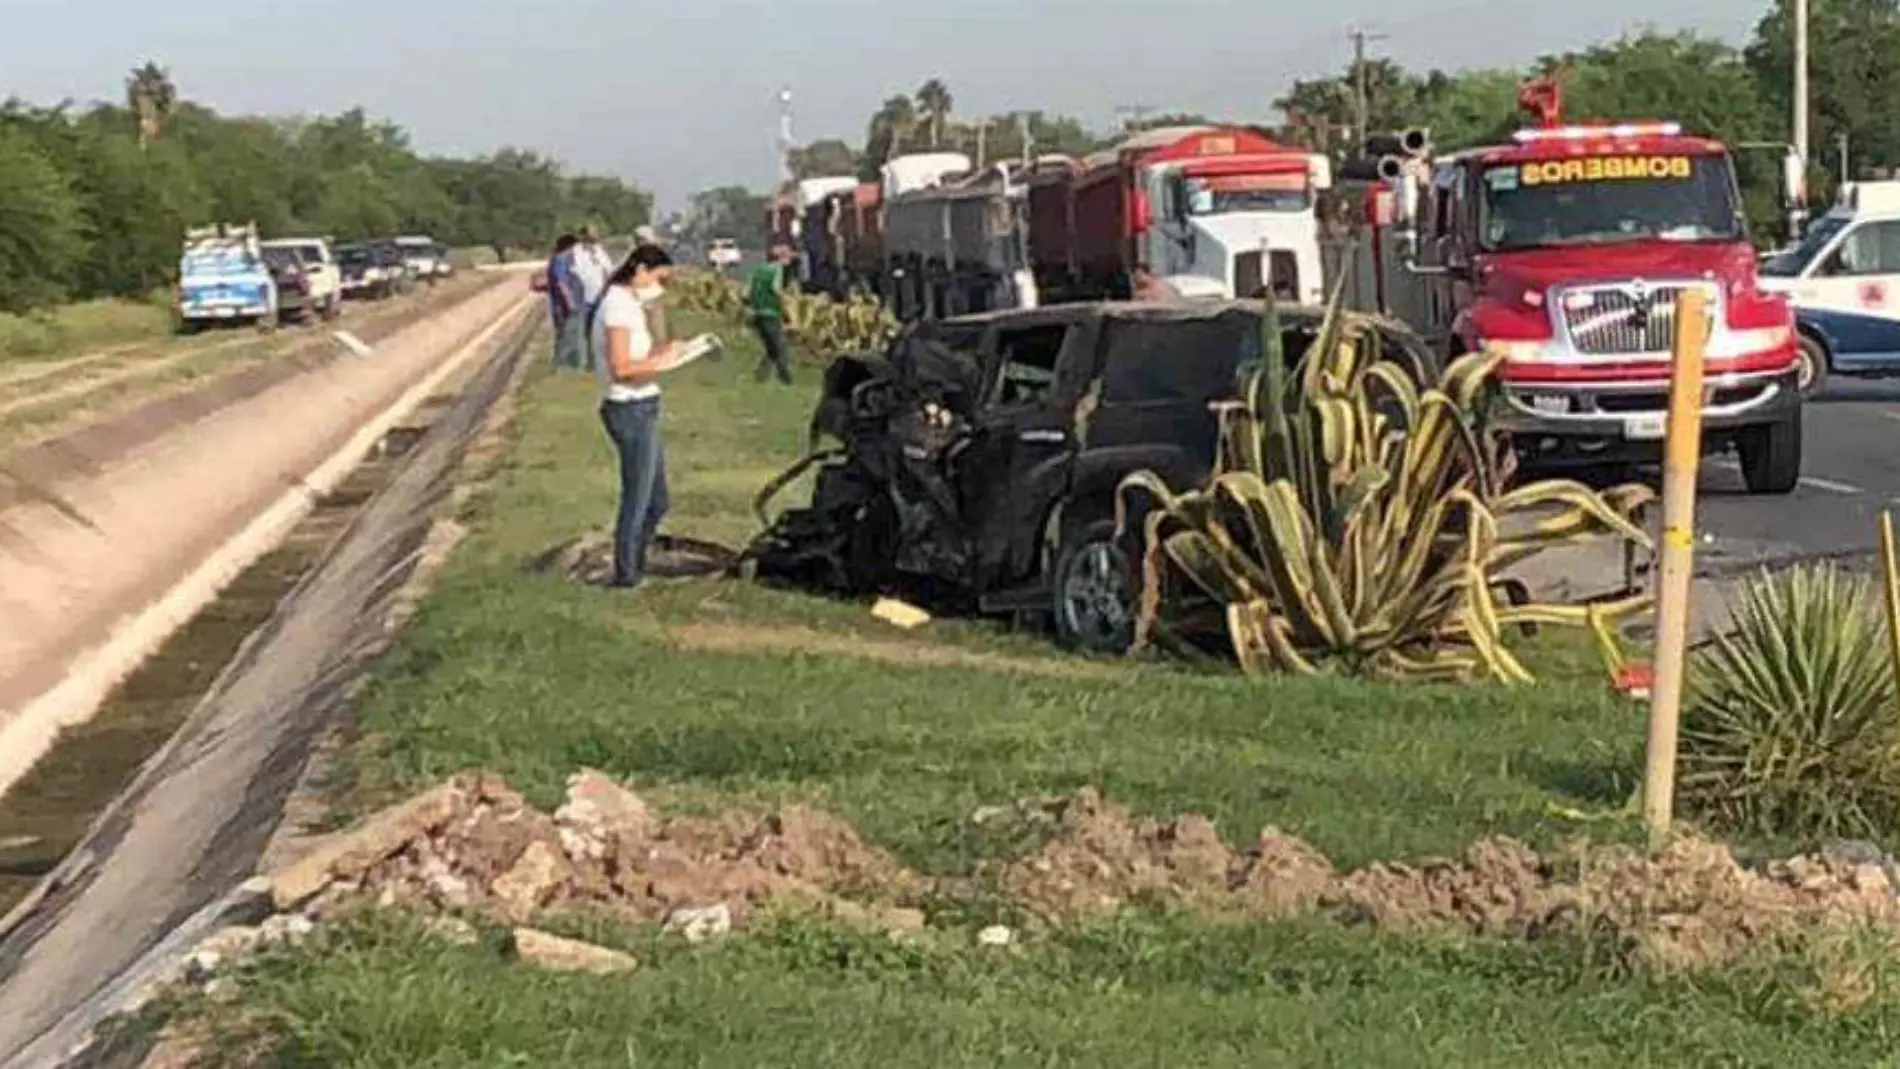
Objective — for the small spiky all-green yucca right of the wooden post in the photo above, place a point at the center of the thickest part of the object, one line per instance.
(1791, 722)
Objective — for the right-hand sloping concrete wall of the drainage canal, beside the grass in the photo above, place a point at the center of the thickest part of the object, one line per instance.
(166, 861)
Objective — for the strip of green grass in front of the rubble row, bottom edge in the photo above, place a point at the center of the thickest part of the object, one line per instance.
(1145, 992)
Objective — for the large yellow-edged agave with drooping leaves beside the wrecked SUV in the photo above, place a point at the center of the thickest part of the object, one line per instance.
(1359, 523)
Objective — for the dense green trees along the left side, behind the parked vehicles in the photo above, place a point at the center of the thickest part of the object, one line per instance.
(96, 200)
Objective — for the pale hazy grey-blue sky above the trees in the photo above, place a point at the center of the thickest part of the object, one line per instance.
(683, 96)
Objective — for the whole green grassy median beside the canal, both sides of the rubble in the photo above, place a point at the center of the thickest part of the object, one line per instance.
(710, 696)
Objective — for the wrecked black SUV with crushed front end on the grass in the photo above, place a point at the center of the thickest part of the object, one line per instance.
(979, 457)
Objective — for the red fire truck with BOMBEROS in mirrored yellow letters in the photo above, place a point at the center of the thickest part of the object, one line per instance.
(1568, 250)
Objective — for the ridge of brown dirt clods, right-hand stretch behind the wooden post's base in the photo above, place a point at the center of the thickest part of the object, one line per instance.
(1690, 905)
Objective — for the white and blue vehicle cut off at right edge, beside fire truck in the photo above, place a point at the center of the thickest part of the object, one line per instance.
(1844, 282)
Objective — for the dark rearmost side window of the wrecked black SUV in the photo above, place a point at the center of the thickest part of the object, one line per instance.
(1177, 360)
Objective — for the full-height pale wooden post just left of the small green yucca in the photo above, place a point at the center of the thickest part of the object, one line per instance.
(1682, 455)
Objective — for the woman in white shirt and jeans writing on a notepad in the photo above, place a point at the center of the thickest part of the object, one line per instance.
(628, 366)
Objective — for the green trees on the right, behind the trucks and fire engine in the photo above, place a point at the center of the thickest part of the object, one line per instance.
(1741, 96)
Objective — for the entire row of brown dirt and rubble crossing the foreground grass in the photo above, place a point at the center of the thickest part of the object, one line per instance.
(1688, 907)
